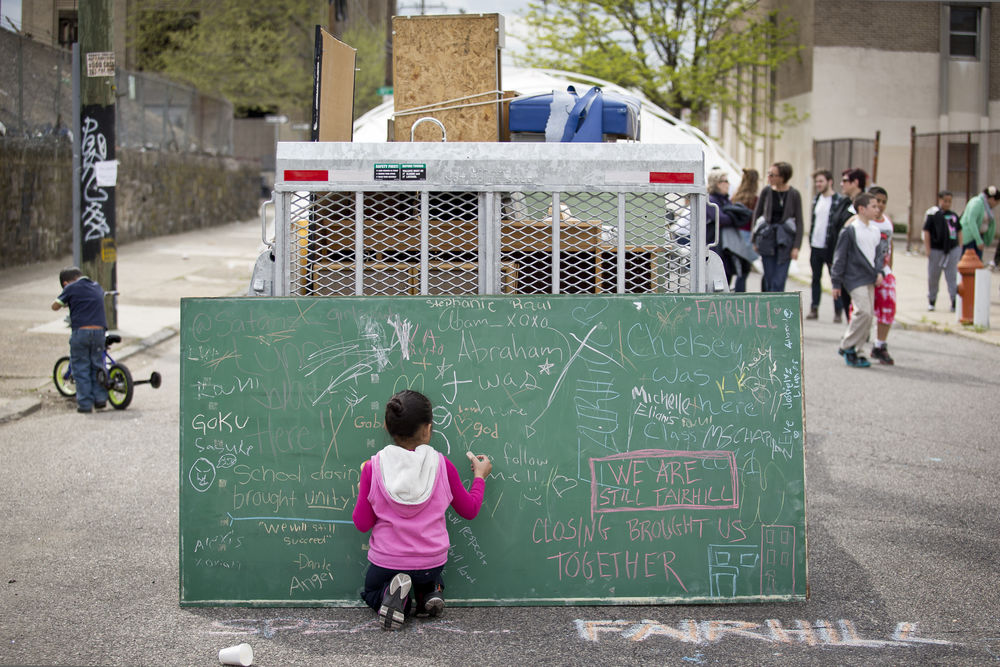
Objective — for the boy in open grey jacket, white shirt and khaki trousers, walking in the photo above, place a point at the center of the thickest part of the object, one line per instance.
(858, 266)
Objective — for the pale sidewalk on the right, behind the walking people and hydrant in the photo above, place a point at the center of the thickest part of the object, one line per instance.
(911, 297)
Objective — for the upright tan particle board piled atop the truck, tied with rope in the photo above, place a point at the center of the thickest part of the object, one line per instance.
(443, 61)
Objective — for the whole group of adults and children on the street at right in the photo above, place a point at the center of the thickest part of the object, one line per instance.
(851, 235)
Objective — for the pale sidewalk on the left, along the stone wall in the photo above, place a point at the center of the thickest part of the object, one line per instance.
(153, 276)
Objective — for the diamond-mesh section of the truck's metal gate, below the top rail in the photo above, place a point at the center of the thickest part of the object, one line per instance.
(437, 243)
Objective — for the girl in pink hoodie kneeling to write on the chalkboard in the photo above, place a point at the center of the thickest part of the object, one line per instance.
(404, 493)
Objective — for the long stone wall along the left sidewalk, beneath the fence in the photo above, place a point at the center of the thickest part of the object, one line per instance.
(158, 193)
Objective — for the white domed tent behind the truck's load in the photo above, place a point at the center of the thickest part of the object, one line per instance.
(656, 125)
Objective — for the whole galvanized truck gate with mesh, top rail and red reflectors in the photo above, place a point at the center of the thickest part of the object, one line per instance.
(490, 218)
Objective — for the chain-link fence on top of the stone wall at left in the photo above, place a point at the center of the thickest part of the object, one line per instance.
(152, 113)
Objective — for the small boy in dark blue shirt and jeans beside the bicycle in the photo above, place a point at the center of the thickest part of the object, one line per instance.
(85, 300)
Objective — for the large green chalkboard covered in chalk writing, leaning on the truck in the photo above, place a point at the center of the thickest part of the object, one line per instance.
(646, 449)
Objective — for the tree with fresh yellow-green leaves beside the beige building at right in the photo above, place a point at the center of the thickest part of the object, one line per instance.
(682, 54)
